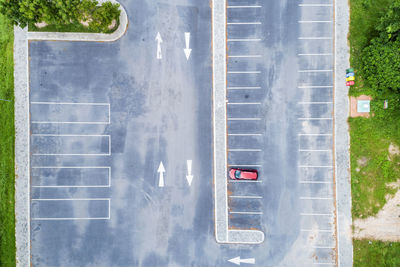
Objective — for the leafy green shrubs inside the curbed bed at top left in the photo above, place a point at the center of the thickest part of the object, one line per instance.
(60, 12)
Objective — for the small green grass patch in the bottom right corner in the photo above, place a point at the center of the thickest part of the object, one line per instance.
(376, 254)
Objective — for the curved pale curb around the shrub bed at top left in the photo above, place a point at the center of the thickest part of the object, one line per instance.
(88, 37)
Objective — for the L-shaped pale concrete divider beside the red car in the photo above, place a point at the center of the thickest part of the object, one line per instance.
(222, 232)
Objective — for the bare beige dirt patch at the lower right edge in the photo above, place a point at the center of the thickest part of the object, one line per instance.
(386, 225)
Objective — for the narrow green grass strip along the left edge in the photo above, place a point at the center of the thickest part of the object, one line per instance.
(7, 218)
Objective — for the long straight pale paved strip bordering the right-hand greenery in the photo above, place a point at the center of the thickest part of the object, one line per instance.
(342, 138)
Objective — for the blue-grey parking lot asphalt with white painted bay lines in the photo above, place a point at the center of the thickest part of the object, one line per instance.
(104, 115)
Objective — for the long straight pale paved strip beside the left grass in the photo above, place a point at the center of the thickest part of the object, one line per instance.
(21, 112)
